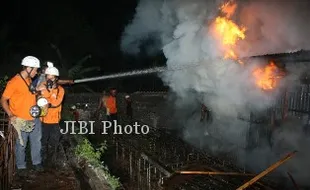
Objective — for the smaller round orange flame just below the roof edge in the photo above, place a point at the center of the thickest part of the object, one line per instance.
(267, 77)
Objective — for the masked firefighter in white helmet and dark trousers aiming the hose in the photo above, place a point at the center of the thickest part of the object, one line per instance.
(54, 93)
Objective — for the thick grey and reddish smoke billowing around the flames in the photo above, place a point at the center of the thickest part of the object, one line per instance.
(182, 28)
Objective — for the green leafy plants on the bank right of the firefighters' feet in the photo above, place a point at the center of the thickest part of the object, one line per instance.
(86, 151)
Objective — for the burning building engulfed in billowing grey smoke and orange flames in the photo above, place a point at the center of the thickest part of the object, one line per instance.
(250, 97)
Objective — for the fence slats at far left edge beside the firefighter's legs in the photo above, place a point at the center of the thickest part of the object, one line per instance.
(7, 152)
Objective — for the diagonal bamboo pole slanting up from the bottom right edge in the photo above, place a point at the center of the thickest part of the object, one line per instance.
(267, 171)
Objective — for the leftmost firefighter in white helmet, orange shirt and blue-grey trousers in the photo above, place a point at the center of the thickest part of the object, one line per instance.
(16, 101)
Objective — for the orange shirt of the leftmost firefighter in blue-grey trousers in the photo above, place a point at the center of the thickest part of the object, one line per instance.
(20, 98)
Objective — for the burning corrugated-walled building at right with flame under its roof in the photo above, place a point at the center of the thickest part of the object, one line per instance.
(292, 101)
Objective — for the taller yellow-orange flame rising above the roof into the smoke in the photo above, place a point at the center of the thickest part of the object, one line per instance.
(227, 32)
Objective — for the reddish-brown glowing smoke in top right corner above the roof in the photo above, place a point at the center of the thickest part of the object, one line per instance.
(275, 26)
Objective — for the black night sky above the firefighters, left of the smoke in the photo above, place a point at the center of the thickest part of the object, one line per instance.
(77, 28)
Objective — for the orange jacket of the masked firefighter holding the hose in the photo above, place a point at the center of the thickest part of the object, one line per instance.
(55, 98)
